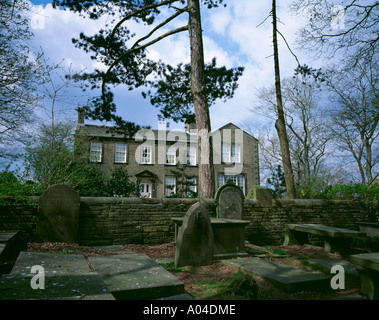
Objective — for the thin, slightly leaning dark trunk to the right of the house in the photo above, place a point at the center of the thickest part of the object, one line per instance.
(280, 122)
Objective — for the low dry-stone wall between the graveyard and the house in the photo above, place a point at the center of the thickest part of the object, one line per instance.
(148, 221)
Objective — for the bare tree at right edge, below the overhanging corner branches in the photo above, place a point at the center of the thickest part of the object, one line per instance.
(355, 118)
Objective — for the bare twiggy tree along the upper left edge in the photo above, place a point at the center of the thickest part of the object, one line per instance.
(20, 74)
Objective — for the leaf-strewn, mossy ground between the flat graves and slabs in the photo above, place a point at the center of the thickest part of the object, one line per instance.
(218, 281)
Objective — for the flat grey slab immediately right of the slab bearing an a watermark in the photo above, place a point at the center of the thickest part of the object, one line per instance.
(136, 276)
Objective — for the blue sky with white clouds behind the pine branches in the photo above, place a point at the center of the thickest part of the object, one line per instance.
(235, 35)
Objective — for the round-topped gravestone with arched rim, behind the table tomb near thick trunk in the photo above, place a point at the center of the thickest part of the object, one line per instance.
(229, 200)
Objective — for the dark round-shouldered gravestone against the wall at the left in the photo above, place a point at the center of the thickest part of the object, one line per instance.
(58, 217)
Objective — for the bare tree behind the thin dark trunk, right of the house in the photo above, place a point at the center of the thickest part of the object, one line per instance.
(306, 126)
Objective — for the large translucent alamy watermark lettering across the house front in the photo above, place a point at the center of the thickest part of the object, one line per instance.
(227, 147)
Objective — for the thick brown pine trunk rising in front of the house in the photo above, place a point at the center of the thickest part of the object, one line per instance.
(206, 169)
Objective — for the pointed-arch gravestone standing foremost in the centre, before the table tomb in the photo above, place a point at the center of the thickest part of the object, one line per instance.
(194, 244)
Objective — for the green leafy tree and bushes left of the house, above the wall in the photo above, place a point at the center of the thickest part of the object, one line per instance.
(51, 158)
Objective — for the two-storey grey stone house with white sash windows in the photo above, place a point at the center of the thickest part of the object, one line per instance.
(151, 156)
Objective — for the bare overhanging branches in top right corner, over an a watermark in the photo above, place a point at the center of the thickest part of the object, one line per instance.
(349, 28)
